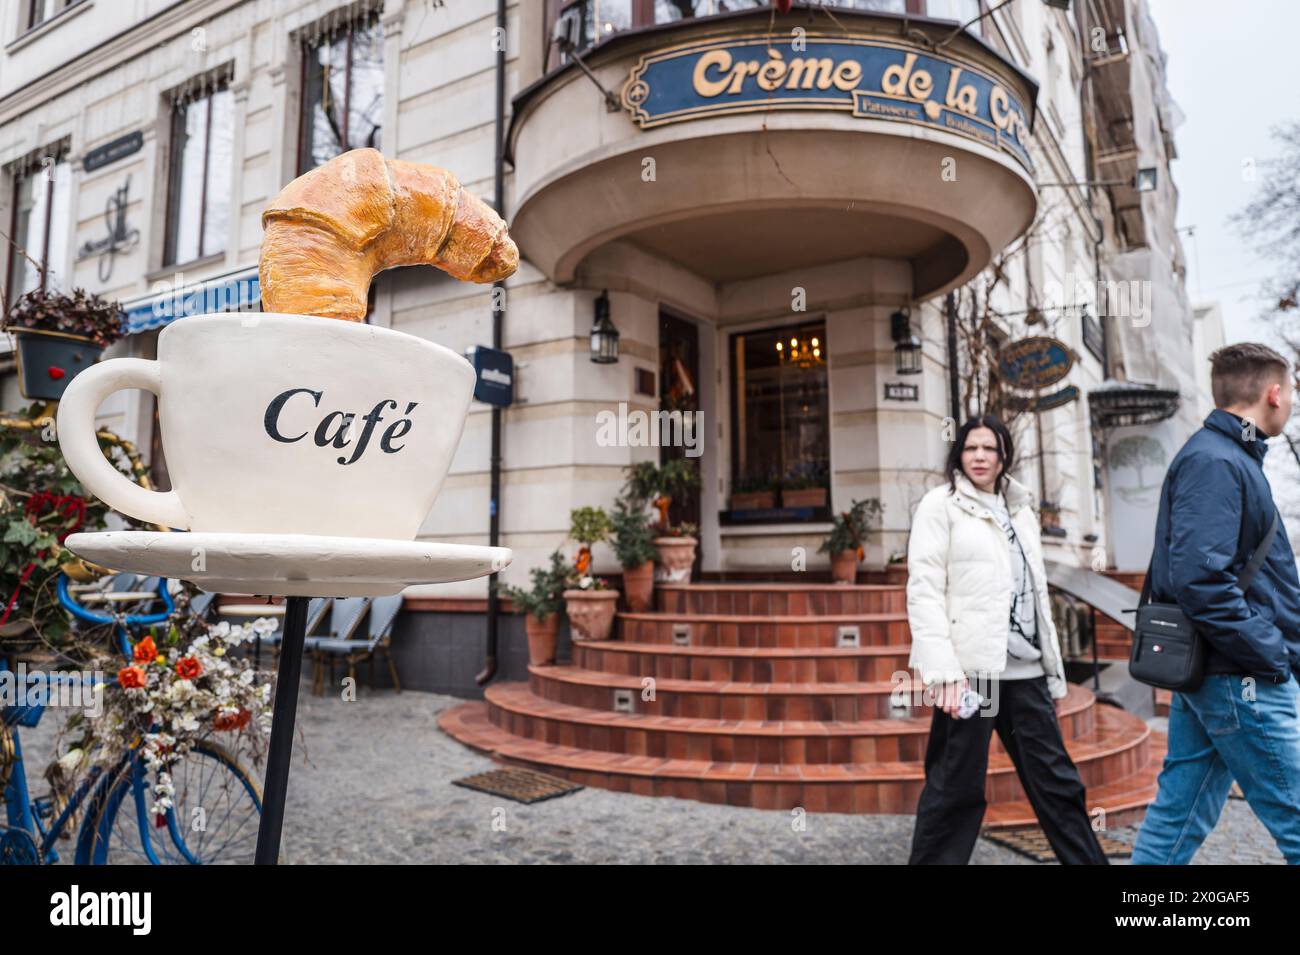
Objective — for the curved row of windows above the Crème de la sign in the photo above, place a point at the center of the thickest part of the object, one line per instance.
(590, 23)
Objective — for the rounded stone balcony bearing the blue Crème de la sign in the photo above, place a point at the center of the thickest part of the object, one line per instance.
(738, 153)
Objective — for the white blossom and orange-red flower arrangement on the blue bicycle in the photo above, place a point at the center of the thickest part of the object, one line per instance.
(175, 692)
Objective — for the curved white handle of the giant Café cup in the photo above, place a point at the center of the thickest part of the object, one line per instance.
(76, 429)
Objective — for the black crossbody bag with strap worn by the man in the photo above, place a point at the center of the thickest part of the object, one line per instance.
(1168, 653)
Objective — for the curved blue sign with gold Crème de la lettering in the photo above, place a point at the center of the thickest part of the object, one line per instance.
(870, 79)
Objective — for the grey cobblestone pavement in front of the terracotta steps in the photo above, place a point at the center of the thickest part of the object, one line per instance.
(371, 783)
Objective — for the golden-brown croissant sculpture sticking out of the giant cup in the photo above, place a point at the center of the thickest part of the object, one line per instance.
(332, 229)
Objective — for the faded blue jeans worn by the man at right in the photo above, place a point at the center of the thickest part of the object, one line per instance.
(1216, 735)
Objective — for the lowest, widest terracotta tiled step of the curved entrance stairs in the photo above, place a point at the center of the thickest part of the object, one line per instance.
(827, 788)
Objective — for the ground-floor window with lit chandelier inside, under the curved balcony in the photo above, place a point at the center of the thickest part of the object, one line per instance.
(781, 411)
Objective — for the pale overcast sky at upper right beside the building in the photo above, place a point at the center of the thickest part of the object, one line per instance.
(1234, 70)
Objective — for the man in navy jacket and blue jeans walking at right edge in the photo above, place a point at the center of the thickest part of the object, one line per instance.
(1215, 510)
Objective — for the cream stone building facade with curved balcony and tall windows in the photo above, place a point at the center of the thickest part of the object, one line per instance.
(817, 233)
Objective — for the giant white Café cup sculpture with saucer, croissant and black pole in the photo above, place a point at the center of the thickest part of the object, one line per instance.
(305, 446)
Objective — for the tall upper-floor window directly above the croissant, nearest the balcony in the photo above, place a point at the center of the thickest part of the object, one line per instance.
(343, 90)
